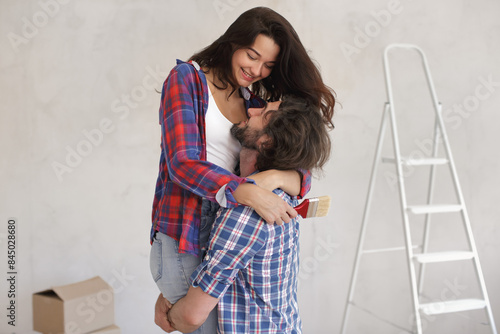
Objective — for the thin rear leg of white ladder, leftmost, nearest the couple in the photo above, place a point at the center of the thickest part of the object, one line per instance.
(364, 223)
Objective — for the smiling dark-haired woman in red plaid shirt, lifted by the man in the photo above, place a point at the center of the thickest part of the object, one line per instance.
(200, 101)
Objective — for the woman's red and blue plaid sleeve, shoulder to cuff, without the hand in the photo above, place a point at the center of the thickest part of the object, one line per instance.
(182, 140)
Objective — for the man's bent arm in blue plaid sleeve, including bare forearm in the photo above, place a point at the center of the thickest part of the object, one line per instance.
(230, 251)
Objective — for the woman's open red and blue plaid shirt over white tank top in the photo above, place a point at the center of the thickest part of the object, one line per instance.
(185, 176)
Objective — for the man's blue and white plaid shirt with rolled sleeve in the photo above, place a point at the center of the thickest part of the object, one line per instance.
(252, 267)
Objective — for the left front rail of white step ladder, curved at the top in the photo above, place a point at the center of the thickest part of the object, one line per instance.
(402, 194)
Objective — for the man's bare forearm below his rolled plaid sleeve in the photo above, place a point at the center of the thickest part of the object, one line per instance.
(191, 311)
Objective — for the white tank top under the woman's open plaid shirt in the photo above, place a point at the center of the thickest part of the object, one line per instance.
(222, 148)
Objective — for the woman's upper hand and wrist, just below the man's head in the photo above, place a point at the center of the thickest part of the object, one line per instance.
(289, 181)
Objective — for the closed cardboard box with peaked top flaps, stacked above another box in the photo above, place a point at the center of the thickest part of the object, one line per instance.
(76, 308)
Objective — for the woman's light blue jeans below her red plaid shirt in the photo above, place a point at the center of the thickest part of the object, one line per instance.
(171, 270)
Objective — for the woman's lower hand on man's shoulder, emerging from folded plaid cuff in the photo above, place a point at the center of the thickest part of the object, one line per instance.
(271, 207)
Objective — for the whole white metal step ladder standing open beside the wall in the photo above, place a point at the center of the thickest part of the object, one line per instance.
(423, 257)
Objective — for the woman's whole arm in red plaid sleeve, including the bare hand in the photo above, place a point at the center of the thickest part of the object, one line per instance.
(182, 144)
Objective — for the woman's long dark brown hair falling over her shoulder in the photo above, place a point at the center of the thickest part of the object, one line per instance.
(294, 72)
